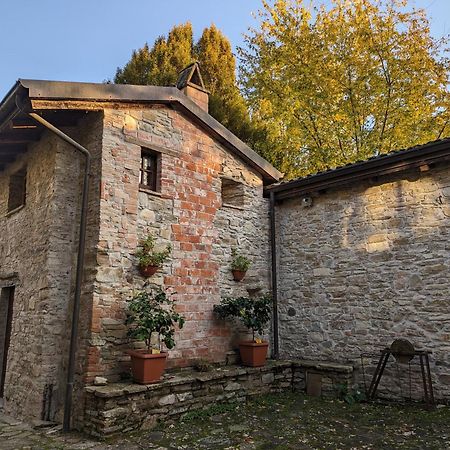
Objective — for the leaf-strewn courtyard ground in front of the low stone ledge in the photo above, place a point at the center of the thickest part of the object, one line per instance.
(283, 421)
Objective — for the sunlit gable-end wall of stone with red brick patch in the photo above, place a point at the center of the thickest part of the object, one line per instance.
(187, 213)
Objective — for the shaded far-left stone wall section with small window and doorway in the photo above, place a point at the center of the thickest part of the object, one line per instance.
(24, 247)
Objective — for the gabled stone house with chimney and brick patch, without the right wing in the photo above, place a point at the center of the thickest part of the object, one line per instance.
(205, 198)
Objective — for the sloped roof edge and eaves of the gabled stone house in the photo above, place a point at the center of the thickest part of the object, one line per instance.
(15, 135)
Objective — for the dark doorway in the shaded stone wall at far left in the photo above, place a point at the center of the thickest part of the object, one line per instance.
(6, 310)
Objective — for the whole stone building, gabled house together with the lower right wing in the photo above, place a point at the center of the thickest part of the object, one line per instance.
(361, 252)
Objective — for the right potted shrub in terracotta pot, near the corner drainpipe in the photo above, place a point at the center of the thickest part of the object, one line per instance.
(254, 313)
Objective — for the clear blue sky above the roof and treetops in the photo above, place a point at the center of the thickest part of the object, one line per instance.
(85, 40)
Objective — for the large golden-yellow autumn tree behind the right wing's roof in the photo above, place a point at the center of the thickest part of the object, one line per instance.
(336, 85)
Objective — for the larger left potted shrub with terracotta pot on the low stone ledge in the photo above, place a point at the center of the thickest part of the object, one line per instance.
(148, 313)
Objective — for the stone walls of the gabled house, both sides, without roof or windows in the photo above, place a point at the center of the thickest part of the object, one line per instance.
(38, 247)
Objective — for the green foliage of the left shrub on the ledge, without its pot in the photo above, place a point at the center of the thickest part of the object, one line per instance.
(150, 312)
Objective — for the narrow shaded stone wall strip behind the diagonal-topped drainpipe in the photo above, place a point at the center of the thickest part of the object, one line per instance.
(65, 233)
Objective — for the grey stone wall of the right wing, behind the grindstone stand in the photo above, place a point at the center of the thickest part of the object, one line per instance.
(365, 265)
